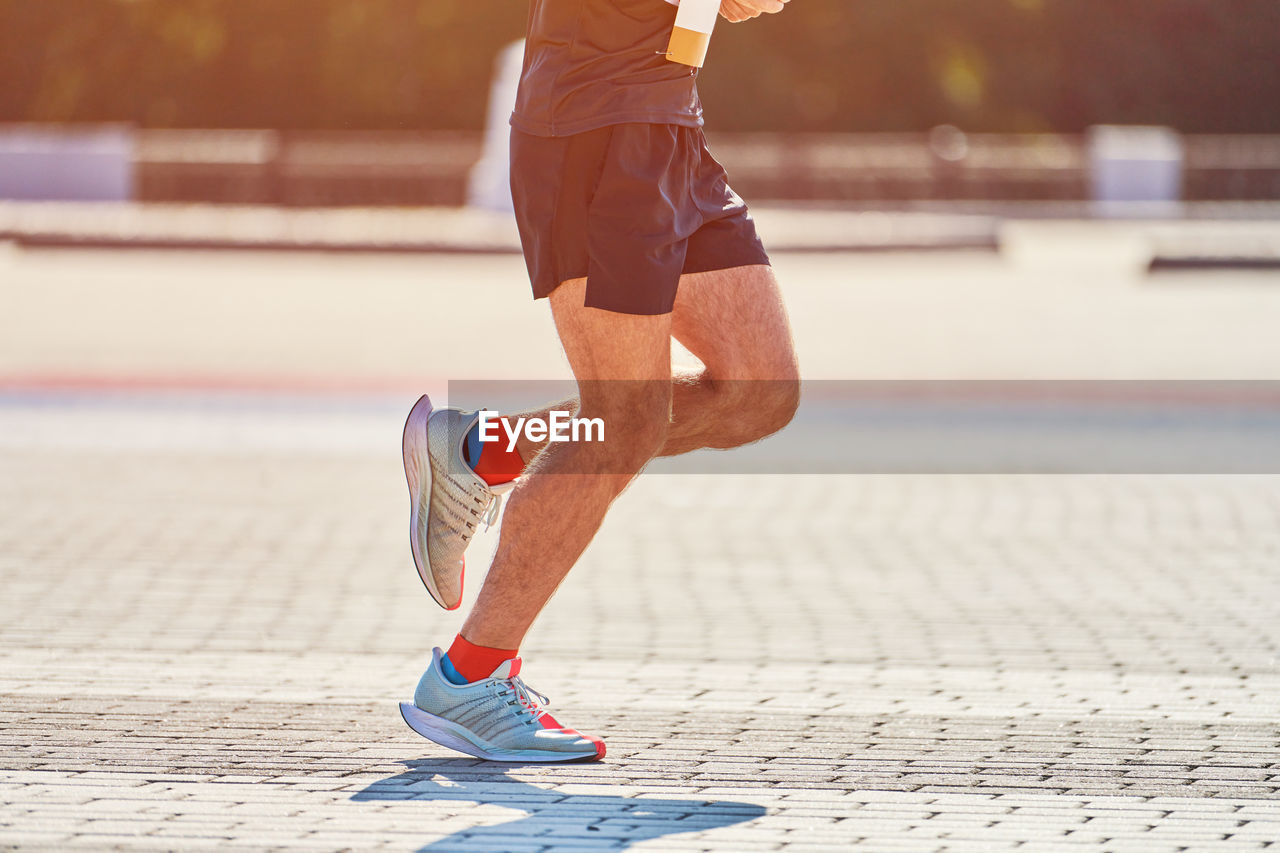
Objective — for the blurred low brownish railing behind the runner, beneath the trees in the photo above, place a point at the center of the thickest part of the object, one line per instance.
(406, 168)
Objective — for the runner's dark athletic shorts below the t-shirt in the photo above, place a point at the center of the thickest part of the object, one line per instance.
(630, 208)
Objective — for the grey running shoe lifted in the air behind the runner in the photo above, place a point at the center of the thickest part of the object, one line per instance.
(447, 499)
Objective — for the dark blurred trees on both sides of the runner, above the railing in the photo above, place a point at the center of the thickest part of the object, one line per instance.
(822, 66)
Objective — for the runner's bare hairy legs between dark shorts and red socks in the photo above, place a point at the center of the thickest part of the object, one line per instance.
(734, 322)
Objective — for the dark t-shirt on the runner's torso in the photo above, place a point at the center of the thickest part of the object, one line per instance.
(592, 63)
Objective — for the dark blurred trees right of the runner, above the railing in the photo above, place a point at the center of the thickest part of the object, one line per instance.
(1000, 66)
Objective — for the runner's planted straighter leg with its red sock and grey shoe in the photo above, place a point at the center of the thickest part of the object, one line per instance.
(473, 699)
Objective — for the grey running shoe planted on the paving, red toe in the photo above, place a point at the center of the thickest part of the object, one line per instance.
(497, 719)
